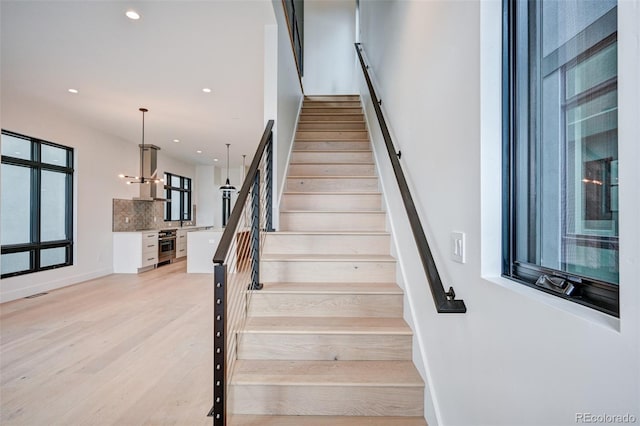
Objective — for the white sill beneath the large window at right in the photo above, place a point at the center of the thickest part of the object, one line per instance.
(575, 309)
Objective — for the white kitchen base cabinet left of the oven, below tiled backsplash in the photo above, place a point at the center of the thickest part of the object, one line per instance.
(134, 251)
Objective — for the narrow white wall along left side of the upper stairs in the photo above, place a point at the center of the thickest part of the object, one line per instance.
(287, 102)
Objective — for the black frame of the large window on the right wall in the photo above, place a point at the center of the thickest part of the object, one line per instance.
(599, 295)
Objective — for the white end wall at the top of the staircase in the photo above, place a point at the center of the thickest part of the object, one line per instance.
(329, 55)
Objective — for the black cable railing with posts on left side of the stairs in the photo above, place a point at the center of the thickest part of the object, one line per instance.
(237, 267)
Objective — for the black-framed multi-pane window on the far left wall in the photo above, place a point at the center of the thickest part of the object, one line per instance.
(37, 205)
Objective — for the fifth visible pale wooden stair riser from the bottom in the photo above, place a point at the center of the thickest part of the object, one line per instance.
(326, 244)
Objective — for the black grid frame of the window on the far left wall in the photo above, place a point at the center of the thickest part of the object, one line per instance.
(36, 167)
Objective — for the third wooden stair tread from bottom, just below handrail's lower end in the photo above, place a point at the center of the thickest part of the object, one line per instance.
(326, 325)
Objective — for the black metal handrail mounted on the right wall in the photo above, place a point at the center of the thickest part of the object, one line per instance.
(445, 301)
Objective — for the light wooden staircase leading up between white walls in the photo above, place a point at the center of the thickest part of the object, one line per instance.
(325, 342)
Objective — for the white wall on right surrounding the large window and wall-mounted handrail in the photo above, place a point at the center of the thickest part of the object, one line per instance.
(518, 356)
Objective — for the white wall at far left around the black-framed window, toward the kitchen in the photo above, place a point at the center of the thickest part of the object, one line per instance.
(99, 159)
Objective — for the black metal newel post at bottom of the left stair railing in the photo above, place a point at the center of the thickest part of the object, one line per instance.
(218, 412)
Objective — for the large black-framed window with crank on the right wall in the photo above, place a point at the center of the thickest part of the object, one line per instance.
(560, 169)
